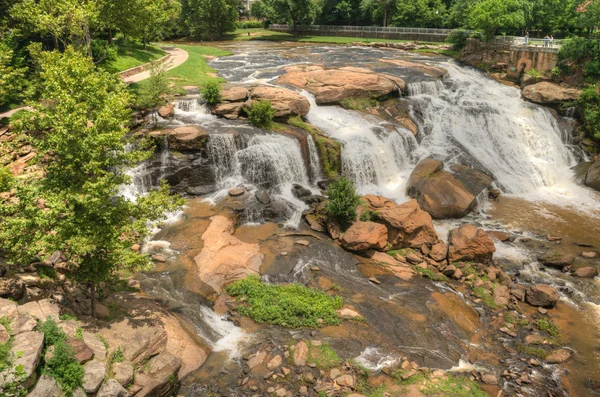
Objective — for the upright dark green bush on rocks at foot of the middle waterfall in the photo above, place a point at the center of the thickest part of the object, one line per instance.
(342, 201)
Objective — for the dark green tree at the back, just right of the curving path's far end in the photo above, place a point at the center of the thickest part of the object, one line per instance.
(210, 18)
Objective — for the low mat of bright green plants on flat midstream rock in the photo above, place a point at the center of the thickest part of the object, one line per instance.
(289, 305)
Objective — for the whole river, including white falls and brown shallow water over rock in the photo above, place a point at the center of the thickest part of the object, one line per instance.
(466, 118)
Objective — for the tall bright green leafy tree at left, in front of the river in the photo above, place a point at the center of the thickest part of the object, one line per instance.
(83, 149)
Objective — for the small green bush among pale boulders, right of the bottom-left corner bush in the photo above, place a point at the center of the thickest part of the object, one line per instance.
(64, 367)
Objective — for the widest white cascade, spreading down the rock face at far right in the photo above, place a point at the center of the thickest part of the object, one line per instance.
(476, 120)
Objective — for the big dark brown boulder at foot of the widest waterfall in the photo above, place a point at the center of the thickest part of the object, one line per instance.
(444, 194)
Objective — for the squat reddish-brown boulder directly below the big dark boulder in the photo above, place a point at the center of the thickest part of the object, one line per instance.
(468, 243)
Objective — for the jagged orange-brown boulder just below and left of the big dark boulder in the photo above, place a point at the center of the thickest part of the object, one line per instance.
(407, 224)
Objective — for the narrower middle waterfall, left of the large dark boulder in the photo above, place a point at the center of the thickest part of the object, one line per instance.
(376, 157)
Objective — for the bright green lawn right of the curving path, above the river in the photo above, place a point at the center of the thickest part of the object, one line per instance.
(195, 71)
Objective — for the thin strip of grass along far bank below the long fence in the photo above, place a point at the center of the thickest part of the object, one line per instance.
(264, 34)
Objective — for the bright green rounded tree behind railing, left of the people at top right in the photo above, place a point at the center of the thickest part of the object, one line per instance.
(490, 15)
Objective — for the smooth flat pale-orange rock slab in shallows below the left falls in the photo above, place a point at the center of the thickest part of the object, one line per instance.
(224, 258)
